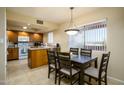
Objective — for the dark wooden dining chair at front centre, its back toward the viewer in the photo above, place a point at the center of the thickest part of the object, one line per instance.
(66, 68)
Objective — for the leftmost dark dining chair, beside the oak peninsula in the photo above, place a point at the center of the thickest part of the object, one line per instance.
(52, 64)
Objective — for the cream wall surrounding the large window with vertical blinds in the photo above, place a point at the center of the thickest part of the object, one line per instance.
(115, 44)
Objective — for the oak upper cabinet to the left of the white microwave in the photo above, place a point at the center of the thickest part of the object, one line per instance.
(12, 36)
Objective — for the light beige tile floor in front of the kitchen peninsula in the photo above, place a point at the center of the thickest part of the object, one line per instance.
(18, 73)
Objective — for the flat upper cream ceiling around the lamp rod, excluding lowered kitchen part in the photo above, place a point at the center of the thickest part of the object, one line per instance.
(52, 14)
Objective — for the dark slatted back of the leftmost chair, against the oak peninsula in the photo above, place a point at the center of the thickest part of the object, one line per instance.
(51, 57)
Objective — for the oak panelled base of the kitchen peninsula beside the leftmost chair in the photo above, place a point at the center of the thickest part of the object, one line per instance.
(37, 57)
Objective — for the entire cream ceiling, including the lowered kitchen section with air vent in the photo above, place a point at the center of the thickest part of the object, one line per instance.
(53, 15)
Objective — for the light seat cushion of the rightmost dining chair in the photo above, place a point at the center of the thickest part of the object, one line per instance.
(91, 71)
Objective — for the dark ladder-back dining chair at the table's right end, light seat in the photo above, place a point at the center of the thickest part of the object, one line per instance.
(100, 74)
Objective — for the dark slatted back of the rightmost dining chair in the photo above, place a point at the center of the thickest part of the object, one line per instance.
(104, 64)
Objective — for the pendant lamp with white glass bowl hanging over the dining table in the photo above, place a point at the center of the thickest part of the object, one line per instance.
(71, 30)
